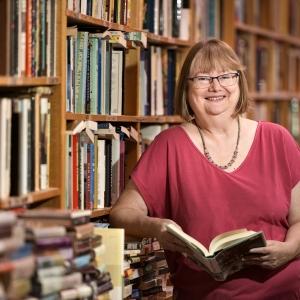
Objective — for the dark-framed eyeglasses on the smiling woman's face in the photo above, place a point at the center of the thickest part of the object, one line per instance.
(202, 82)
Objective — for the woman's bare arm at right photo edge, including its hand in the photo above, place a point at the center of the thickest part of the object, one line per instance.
(277, 253)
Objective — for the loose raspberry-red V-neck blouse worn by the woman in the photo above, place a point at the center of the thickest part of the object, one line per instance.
(178, 182)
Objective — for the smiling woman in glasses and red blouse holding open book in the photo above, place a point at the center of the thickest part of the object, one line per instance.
(216, 172)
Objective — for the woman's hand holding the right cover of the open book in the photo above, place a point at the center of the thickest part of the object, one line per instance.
(274, 255)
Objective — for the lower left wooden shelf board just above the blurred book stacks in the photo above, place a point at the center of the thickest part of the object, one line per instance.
(30, 198)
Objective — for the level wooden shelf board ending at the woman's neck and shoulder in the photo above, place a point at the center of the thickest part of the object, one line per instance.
(132, 119)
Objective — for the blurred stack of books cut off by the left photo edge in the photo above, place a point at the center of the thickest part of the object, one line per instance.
(16, 259)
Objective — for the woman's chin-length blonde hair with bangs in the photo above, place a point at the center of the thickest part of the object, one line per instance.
(205, 57)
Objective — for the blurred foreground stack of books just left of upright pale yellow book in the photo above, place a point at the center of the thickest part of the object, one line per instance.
(64, 245)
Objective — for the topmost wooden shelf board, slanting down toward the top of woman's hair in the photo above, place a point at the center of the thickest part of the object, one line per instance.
(75, 18)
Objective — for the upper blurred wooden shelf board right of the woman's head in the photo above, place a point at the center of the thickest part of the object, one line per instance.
(267, 33)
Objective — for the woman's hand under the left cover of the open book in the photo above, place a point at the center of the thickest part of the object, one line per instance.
(167, 240)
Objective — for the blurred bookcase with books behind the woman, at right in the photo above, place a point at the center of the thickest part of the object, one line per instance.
(267, 32)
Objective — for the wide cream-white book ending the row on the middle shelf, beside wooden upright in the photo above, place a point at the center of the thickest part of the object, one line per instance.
(116, 82)
